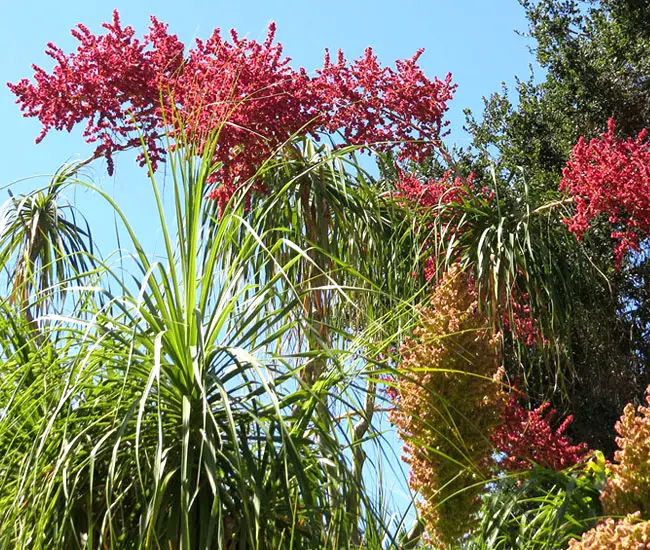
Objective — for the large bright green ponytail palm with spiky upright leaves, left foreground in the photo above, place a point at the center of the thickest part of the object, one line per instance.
(174, 412)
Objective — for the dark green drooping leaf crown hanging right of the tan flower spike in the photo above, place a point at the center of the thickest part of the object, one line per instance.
(527, 265)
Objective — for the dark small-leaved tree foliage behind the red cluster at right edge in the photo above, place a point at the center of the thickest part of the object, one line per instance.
(595, 61)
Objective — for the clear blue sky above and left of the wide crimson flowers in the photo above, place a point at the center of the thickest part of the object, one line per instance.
(473, 39)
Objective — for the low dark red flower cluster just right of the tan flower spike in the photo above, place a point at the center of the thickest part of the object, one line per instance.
(527, 437)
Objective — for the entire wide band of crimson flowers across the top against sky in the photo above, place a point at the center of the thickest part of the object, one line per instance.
(119, 84)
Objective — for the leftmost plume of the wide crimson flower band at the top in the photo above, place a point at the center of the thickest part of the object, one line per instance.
(112, 82)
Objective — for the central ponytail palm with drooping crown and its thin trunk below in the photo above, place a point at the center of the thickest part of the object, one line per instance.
(357, 273)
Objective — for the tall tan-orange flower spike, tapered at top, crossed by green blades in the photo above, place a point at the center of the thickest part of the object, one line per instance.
(448, 397)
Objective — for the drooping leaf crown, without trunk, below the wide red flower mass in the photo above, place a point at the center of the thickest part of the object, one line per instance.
(357, 237)
